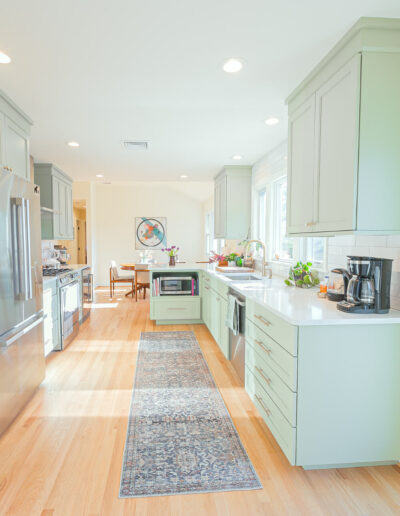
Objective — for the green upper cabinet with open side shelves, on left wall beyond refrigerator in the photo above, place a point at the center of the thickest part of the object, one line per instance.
(55, 201)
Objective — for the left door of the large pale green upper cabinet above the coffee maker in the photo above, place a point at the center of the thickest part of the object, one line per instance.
(301, 168)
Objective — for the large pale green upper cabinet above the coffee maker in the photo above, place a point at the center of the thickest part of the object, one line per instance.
(344, 122)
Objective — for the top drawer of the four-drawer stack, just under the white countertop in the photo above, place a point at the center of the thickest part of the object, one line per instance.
(282, 332)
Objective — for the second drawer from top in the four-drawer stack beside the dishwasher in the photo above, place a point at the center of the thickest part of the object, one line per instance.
(274, 355)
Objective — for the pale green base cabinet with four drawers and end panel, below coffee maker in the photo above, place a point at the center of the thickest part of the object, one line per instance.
(329, 394)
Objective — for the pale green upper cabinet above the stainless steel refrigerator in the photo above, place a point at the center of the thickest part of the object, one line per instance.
(15, 127)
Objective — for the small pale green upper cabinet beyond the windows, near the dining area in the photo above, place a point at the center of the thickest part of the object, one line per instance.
(232, 203)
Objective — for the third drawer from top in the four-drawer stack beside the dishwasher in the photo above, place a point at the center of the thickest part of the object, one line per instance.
(285, 398)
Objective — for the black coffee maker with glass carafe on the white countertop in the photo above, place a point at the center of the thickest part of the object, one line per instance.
(367, 285)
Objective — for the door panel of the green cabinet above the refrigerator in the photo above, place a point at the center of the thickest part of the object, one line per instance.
(16, 149)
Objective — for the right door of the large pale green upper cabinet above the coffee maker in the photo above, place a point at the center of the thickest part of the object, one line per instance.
(336, 162)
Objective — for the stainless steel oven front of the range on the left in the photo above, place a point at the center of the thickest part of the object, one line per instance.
(69, 304)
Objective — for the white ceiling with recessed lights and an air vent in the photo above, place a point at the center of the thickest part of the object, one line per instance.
(101, 71)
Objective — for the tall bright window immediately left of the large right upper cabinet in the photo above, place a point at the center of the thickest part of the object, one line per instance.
(282, 246)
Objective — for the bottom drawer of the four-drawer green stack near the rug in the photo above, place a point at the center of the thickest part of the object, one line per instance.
(280, 428)
